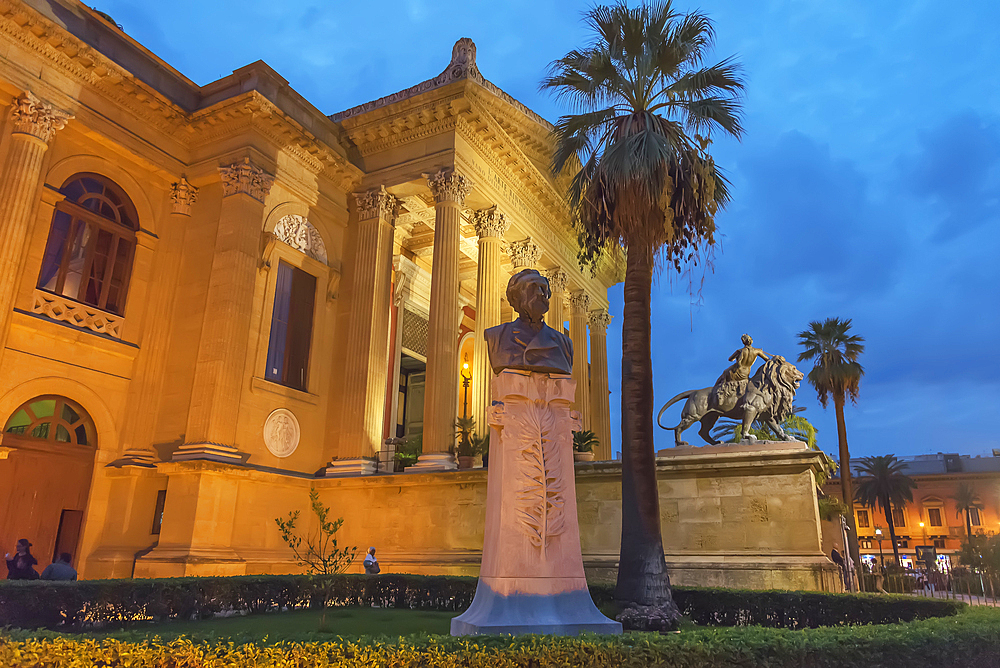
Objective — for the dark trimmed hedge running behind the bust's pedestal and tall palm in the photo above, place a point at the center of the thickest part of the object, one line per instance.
(109, 603)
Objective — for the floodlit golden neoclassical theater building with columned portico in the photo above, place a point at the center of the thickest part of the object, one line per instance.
(215, 297)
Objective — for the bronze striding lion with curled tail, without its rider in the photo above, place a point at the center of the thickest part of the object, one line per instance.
(767, 396)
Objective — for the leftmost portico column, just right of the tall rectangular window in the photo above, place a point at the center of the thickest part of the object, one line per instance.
(366, 370)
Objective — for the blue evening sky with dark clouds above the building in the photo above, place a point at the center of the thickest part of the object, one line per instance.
(867, 185)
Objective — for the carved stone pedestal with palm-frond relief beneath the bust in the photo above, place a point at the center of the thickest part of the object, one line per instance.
(532, 578)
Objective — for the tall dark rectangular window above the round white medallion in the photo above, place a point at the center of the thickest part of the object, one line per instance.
(291, 327)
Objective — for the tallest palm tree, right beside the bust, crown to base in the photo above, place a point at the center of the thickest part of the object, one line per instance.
(643, 181)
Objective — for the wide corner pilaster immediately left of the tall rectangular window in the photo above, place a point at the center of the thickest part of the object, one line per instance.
(222, 351)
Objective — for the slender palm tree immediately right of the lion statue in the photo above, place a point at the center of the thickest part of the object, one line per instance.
(837, 374)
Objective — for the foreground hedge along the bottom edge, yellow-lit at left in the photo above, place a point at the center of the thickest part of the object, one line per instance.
(968, 640)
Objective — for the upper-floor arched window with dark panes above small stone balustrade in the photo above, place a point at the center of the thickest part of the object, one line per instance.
(88, 257)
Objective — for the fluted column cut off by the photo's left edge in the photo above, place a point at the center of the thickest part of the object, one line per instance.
(33, 125)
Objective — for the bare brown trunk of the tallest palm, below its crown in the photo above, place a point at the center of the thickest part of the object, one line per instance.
(643, 583)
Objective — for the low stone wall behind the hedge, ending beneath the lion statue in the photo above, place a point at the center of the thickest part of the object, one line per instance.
(735, 516)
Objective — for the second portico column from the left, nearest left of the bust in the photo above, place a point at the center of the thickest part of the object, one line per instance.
(441, 395)
